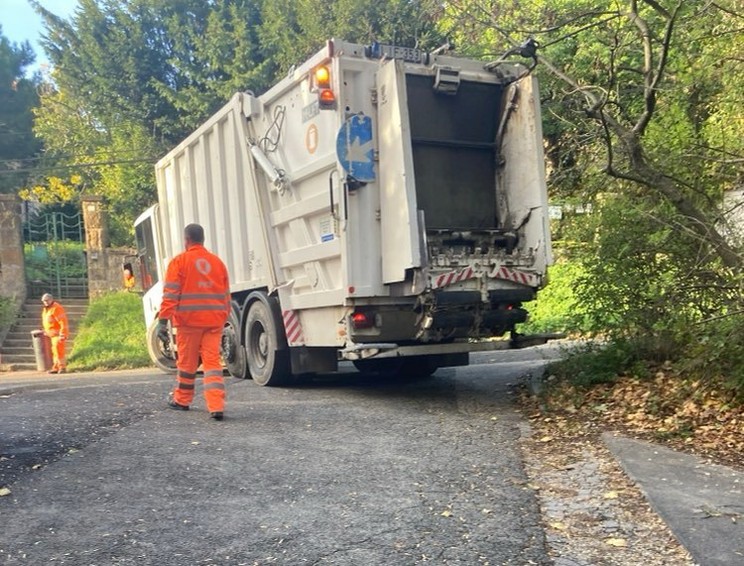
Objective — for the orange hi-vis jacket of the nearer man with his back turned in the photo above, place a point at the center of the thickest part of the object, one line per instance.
(197, 290)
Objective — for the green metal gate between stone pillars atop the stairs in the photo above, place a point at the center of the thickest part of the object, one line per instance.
(54, 253)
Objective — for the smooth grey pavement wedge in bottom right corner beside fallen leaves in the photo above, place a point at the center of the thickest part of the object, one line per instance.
(702, 503)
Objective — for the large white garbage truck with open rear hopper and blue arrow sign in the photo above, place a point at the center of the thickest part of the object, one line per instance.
(380, 205)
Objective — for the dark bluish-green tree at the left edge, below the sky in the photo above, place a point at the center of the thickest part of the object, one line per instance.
(17, 97)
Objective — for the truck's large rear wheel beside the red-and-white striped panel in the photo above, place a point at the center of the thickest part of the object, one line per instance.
(265, 344)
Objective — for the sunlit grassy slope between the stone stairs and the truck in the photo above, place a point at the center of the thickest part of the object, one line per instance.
(112, 335)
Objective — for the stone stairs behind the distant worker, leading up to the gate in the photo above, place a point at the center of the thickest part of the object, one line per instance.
(17, 350)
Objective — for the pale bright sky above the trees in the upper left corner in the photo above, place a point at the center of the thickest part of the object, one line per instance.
(20, 23)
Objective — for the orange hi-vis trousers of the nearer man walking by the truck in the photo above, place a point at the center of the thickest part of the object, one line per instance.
(193, 342)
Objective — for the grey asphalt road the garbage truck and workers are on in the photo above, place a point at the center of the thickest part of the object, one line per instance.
(342, 470)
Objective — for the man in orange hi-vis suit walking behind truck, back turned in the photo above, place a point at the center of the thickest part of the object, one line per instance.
(196, 299)
